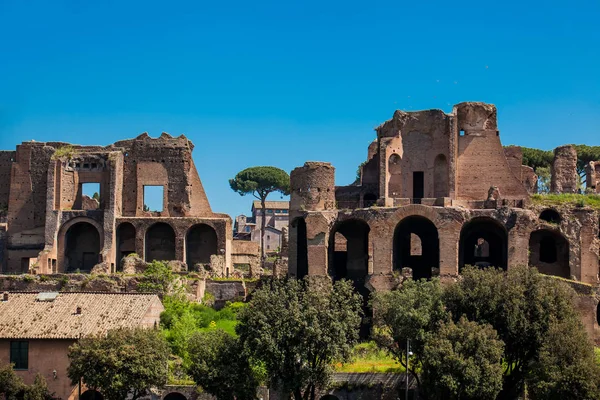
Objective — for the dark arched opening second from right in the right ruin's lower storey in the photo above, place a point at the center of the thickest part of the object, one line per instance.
(483, 243)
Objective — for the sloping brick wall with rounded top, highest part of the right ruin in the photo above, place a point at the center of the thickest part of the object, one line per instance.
(481, 159)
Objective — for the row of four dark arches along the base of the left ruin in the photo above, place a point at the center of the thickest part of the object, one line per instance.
(83, 244)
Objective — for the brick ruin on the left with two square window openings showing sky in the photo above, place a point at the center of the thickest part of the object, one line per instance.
(47, 224)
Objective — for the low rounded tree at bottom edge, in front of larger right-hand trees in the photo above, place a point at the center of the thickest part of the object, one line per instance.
(462, 361)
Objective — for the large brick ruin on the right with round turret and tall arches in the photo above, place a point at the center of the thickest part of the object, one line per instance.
(438, 191)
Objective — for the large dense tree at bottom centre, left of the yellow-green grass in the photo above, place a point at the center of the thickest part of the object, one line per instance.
(299, 329)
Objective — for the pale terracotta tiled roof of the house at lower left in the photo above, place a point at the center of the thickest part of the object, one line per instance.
(23, 316)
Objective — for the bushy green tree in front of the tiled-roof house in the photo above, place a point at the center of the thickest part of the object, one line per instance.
(124, 362)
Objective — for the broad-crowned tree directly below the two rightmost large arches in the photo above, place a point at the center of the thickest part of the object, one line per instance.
(520, 304)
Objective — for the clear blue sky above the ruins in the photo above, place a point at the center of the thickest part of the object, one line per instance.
(282, 82)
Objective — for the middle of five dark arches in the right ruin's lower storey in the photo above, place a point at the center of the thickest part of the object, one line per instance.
(417, 246)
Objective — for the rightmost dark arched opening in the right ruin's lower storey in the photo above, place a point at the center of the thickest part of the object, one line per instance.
(549, 253)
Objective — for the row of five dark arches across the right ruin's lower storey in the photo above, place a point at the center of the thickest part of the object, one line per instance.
(416, 245)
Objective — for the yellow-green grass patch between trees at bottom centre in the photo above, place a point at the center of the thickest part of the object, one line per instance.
(368, 357)
